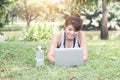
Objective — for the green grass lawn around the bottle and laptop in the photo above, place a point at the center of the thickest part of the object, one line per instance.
(17, 62)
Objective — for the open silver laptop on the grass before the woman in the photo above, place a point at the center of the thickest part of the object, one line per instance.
(69, 57)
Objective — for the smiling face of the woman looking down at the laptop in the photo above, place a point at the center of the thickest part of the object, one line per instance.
(70, 32)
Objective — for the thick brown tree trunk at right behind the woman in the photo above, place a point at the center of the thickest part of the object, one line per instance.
(104, 29)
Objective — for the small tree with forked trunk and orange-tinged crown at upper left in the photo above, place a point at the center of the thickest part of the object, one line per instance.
(27, 11)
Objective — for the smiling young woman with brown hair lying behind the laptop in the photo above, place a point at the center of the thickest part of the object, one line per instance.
(70, 37)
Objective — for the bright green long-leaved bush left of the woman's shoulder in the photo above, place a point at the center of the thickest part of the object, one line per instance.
(37, 33)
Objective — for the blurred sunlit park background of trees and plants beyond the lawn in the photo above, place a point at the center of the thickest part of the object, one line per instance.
(35, 20)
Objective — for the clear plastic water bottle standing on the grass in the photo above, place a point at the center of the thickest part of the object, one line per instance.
(39, 57)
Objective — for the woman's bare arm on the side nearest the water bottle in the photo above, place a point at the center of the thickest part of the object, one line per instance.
(53, 45)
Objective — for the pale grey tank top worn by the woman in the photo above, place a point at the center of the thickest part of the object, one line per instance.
(62, 45)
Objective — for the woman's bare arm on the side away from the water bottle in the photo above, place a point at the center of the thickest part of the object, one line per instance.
(84, 45)
